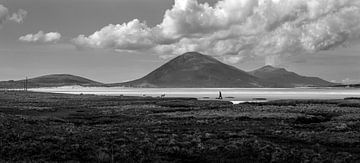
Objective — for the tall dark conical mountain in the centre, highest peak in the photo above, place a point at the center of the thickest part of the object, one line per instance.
(192, 70)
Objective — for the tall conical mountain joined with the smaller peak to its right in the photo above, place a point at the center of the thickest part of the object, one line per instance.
(194, 69)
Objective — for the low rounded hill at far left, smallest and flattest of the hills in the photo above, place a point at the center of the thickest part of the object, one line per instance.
(56, 80)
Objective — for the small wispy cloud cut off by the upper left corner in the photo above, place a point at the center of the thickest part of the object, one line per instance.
(17, 17)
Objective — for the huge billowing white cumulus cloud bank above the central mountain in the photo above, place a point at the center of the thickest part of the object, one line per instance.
(236, 30)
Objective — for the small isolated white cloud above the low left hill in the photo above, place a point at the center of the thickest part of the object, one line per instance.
(41, 37)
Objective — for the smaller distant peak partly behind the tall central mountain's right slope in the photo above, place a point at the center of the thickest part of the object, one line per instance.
(283, 78)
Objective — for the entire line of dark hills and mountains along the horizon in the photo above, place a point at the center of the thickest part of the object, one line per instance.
(190, 70)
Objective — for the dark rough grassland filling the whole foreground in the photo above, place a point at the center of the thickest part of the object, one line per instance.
(39, 127)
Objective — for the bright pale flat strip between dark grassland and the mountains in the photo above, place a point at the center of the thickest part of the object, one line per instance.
(229, 94)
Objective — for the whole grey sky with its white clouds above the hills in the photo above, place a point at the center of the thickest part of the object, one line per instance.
(120, 40)
